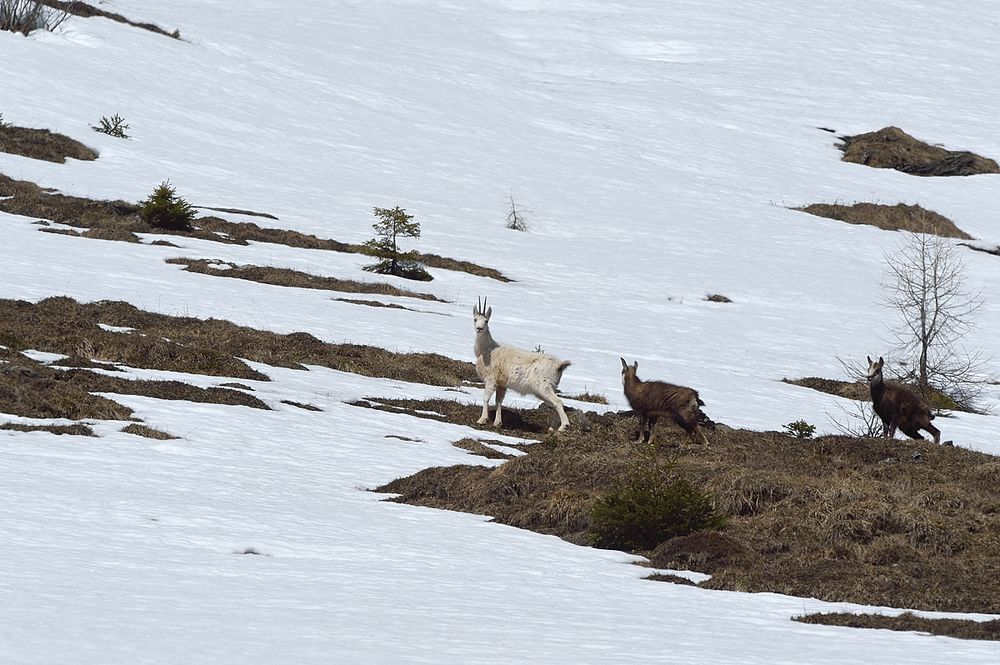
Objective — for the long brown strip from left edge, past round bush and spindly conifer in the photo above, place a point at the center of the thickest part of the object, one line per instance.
(120, 220)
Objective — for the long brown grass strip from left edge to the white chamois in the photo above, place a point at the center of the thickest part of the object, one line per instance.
(197, 346)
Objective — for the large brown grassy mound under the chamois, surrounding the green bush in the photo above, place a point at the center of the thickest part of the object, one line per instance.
(836, 518)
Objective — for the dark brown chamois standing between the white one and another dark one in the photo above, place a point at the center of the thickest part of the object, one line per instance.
(652, 400)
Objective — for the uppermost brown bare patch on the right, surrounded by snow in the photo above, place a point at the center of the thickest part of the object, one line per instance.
(892, 148)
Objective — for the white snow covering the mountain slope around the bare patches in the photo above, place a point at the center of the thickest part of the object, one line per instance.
(658, 146)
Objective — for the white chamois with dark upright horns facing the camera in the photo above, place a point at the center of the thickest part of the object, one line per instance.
(502, 367)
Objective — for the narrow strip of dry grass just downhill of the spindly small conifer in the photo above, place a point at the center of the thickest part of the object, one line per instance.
(294, 278)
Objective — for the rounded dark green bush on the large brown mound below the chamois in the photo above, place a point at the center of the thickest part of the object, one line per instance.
(651, 503)
